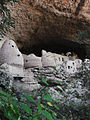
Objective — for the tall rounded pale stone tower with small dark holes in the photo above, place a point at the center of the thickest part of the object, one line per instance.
(10, 54)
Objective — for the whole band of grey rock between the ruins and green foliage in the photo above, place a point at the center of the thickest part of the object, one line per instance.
(62, 86)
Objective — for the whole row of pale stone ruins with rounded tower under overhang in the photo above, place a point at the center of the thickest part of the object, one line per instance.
(20, 65)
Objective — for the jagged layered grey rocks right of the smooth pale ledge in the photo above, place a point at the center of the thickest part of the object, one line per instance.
(66, 87)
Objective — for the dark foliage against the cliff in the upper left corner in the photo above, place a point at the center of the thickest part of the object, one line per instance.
(6, 21)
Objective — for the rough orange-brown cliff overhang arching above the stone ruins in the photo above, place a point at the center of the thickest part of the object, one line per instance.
(51, 22)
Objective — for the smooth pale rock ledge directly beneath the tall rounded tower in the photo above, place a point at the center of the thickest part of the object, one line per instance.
(21, 83)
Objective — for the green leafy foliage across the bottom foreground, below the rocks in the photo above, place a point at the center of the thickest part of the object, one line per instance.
(31, 108)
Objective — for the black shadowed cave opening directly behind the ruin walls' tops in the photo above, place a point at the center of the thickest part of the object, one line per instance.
(56, 46)
